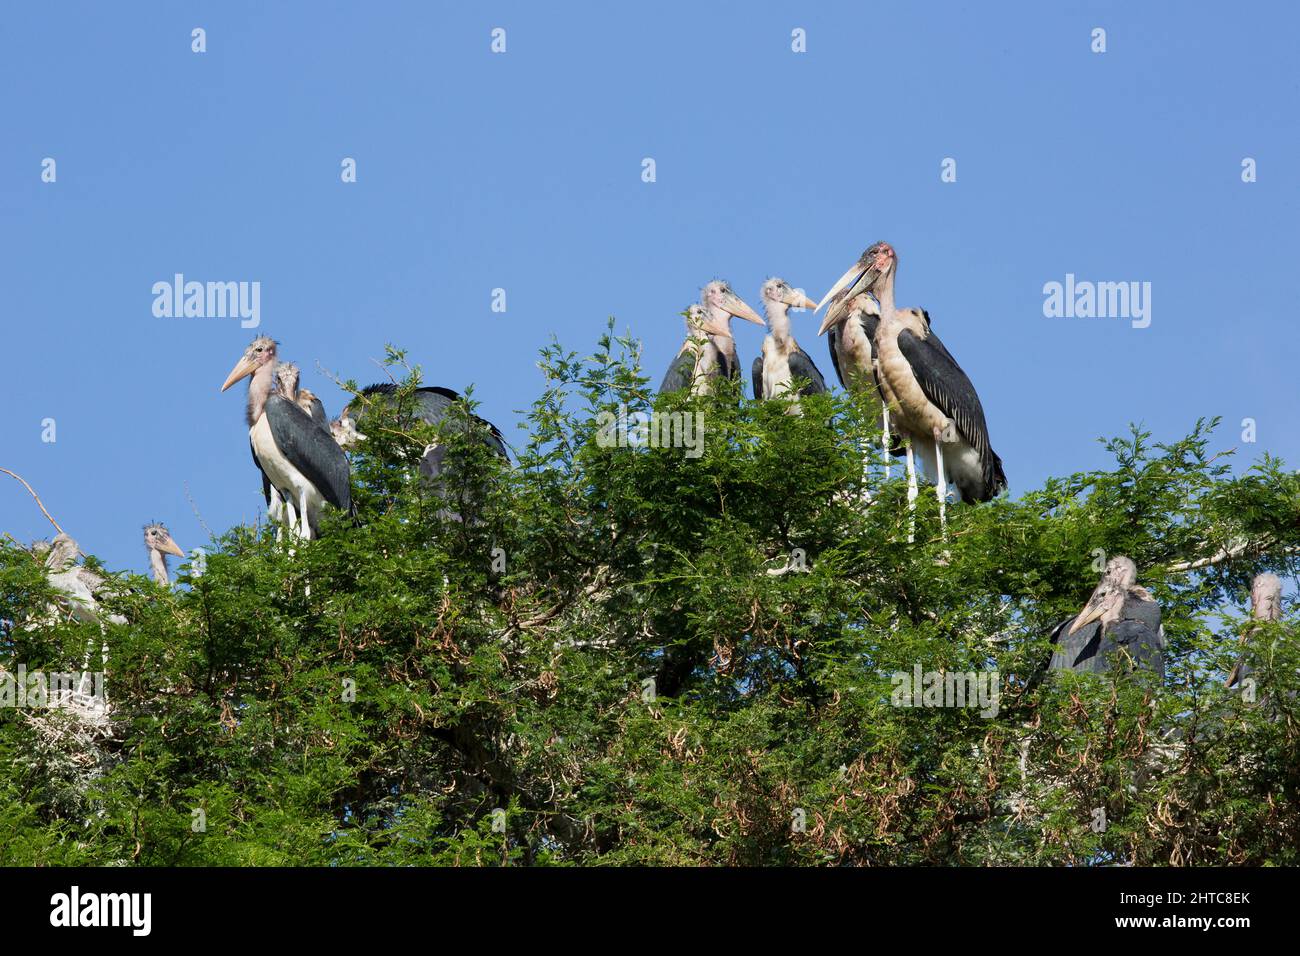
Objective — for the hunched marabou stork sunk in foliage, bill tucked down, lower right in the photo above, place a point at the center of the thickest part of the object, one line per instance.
(1120, 617)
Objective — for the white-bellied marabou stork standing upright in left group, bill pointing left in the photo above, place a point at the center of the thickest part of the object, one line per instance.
(296, 456)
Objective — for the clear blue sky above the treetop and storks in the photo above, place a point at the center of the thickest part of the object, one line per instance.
(523, 171)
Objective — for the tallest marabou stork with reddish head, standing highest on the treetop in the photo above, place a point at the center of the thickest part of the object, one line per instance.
(930, 399)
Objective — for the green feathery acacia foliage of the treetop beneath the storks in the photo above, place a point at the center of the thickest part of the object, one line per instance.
(500, 642)
